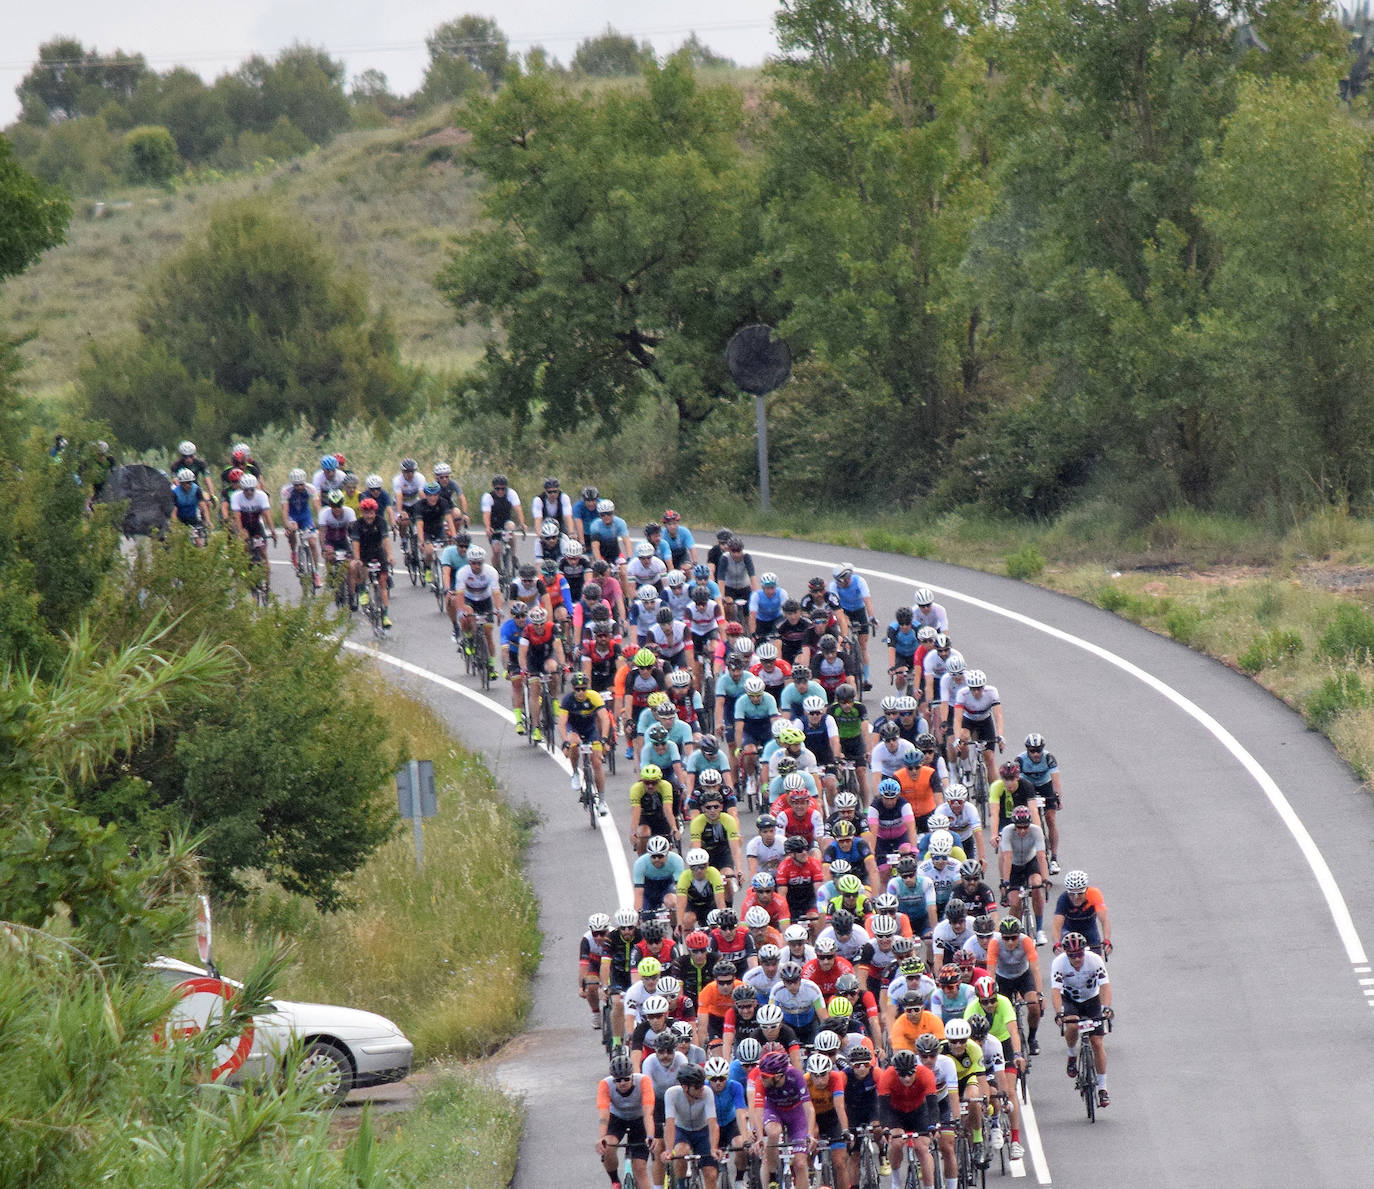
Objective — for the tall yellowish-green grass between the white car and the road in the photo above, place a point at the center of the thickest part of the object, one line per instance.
(446, 952)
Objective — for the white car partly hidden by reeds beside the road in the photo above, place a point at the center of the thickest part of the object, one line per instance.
(346, 1048)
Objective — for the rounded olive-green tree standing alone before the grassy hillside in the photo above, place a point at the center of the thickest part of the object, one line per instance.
(248, 325)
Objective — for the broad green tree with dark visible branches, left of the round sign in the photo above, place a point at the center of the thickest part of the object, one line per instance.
(619, 255)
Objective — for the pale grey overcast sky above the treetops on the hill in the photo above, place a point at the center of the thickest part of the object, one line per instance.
(214, 36)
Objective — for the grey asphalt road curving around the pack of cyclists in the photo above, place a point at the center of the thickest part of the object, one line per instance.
(1233, 979)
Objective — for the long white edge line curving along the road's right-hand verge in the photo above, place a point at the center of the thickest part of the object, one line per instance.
(1325, 880)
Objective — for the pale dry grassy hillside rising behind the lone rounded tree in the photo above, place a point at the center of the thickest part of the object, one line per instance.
(385, 200)
